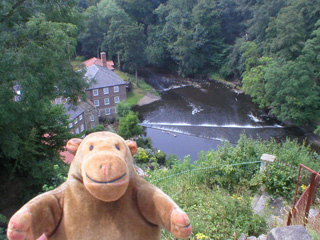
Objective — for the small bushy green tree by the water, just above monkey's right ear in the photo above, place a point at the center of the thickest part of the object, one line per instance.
(129, 126)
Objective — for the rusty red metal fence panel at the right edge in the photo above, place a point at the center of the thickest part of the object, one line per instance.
(305, 210)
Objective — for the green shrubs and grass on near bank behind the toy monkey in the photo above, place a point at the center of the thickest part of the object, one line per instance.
(218, 197)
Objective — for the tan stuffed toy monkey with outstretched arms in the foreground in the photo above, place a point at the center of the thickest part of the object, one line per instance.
(103, 198)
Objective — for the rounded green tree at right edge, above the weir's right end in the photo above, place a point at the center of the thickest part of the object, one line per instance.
(293, 92)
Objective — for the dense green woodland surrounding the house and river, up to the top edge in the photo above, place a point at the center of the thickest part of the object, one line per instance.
(270, 47)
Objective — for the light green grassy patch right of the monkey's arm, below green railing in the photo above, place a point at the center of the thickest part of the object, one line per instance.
(215, 213)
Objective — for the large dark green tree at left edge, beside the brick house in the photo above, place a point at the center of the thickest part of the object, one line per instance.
(38, 39)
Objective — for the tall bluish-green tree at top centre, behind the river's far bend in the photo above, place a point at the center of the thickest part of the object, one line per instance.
(190, 33)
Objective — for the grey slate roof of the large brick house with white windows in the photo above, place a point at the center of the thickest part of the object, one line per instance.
(103, 76)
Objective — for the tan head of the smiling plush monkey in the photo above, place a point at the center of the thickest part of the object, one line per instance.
(103, 162)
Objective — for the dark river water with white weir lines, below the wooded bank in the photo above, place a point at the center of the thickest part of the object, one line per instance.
(201, 115)
